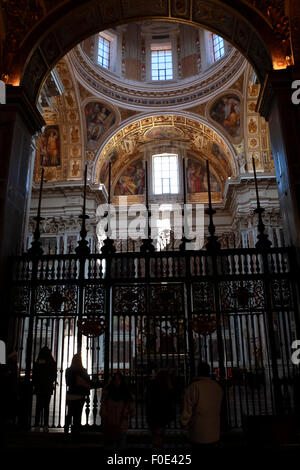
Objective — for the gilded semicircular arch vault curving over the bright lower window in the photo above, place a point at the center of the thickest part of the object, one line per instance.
(128, 144)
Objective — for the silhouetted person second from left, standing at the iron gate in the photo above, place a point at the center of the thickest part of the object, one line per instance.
(43, 379)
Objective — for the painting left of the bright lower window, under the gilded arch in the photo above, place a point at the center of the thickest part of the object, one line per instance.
(132, 180)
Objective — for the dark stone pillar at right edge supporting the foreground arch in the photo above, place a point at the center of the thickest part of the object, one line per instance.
(275, 104)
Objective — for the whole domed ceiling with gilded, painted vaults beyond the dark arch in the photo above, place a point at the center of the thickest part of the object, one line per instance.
(207, 111)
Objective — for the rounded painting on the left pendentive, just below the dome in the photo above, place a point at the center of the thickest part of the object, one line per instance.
(99, 118)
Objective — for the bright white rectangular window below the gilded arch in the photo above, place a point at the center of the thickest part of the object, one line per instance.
(165, 174)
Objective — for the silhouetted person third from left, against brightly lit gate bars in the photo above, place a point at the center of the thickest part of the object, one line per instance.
(78, 383)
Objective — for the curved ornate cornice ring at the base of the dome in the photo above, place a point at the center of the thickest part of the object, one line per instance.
(178, 95)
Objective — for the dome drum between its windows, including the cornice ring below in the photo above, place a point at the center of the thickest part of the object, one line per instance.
(195, 77)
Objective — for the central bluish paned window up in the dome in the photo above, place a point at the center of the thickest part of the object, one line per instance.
(161, 62)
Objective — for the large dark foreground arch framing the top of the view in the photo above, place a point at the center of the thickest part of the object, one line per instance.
(48, 35)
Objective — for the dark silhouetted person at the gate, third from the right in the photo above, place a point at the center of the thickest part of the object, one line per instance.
(116, 407)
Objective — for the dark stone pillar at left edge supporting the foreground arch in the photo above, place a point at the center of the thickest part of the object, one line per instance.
(19, 120)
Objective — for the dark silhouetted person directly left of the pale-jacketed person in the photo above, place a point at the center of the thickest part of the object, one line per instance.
(160, 406)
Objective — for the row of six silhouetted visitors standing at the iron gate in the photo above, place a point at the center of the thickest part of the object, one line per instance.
(200, 414)
